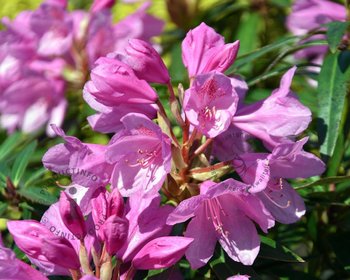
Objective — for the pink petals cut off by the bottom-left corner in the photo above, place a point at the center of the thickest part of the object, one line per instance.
(12, 268)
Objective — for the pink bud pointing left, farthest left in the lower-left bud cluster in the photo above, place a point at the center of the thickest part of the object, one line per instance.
(40, 243)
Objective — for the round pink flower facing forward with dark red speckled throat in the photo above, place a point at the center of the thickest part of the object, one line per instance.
(210, 103)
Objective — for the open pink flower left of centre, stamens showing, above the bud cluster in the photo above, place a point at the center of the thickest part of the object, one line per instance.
(141, 155)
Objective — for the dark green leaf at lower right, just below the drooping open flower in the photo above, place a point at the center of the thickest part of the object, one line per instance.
(270, 249)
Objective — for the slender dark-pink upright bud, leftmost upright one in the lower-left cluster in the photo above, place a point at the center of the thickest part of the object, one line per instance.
(72, 216)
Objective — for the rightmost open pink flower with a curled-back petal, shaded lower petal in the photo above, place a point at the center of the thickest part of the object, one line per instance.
(264, 173)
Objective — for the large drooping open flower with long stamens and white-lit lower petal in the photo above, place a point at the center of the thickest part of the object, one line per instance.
(222, 212)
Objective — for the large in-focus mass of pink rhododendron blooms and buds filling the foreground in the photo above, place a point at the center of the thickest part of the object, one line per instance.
(144, 160)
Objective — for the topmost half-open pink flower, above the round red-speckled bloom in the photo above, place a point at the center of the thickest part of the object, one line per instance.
(204, 50)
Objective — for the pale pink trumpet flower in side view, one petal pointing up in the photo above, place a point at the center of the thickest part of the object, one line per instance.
(280, 115)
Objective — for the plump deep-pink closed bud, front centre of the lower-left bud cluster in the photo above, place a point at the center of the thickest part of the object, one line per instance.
(114, 232)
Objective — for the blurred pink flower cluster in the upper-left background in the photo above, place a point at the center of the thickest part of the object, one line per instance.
(45, 52)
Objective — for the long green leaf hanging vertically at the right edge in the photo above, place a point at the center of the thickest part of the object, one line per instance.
(332, 90)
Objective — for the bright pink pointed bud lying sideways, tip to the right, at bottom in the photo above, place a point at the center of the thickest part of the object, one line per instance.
(161, 252)
